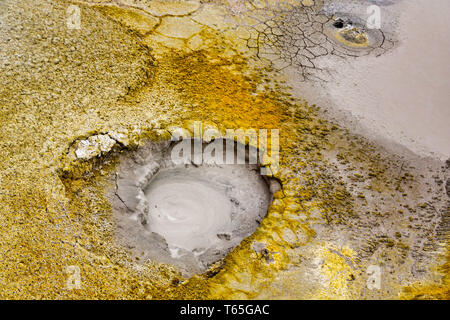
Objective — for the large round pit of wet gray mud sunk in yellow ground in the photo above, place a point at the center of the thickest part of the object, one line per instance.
(188, 215)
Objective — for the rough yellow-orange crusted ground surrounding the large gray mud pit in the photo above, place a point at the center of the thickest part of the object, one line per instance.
(128, 75)
